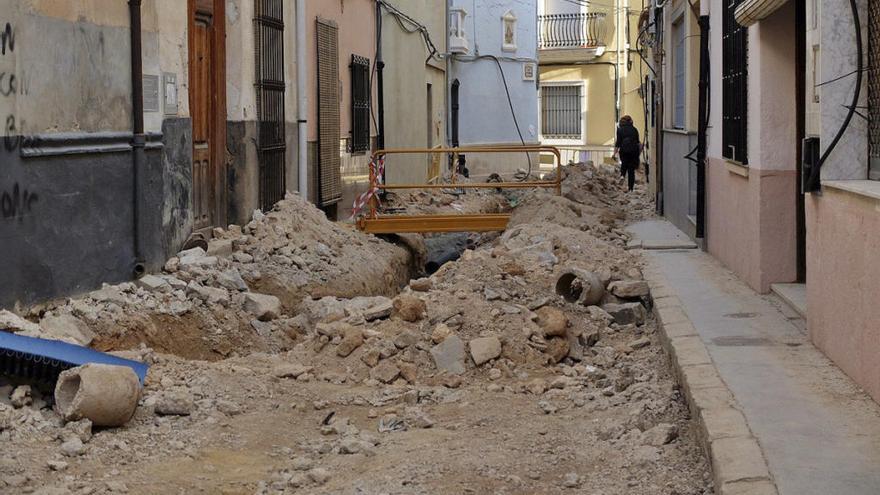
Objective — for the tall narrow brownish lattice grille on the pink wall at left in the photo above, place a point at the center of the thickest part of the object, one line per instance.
(329, 162)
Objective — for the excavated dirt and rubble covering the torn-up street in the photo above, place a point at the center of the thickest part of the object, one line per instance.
(477, 379)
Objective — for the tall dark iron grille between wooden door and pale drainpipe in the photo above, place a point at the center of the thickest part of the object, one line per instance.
(270, 85)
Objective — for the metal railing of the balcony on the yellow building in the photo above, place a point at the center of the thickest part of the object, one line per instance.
(557, 31)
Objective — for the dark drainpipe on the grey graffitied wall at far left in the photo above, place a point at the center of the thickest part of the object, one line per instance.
(138, 142)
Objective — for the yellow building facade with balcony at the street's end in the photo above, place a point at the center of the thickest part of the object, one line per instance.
(590, 75)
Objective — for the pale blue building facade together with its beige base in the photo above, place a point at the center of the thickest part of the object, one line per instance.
(493, 81)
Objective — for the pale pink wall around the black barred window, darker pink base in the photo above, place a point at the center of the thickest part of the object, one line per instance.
(751, 211)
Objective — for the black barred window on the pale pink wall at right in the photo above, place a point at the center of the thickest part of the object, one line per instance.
(735, 82)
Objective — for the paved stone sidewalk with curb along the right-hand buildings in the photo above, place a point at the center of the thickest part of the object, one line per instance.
(776, 414)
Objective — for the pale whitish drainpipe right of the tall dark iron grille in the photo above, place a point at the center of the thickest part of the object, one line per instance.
(302, 105)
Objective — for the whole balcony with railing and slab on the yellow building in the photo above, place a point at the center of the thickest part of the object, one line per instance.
(571, 37)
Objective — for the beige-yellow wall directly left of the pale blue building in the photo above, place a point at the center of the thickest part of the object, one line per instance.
(407, 123)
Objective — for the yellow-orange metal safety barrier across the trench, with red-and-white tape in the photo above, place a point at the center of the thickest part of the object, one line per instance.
(372, 222)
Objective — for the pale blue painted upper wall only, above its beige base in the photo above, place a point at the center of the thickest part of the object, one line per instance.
(484, 114)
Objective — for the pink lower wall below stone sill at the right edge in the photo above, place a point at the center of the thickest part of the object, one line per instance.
(843, 289)
